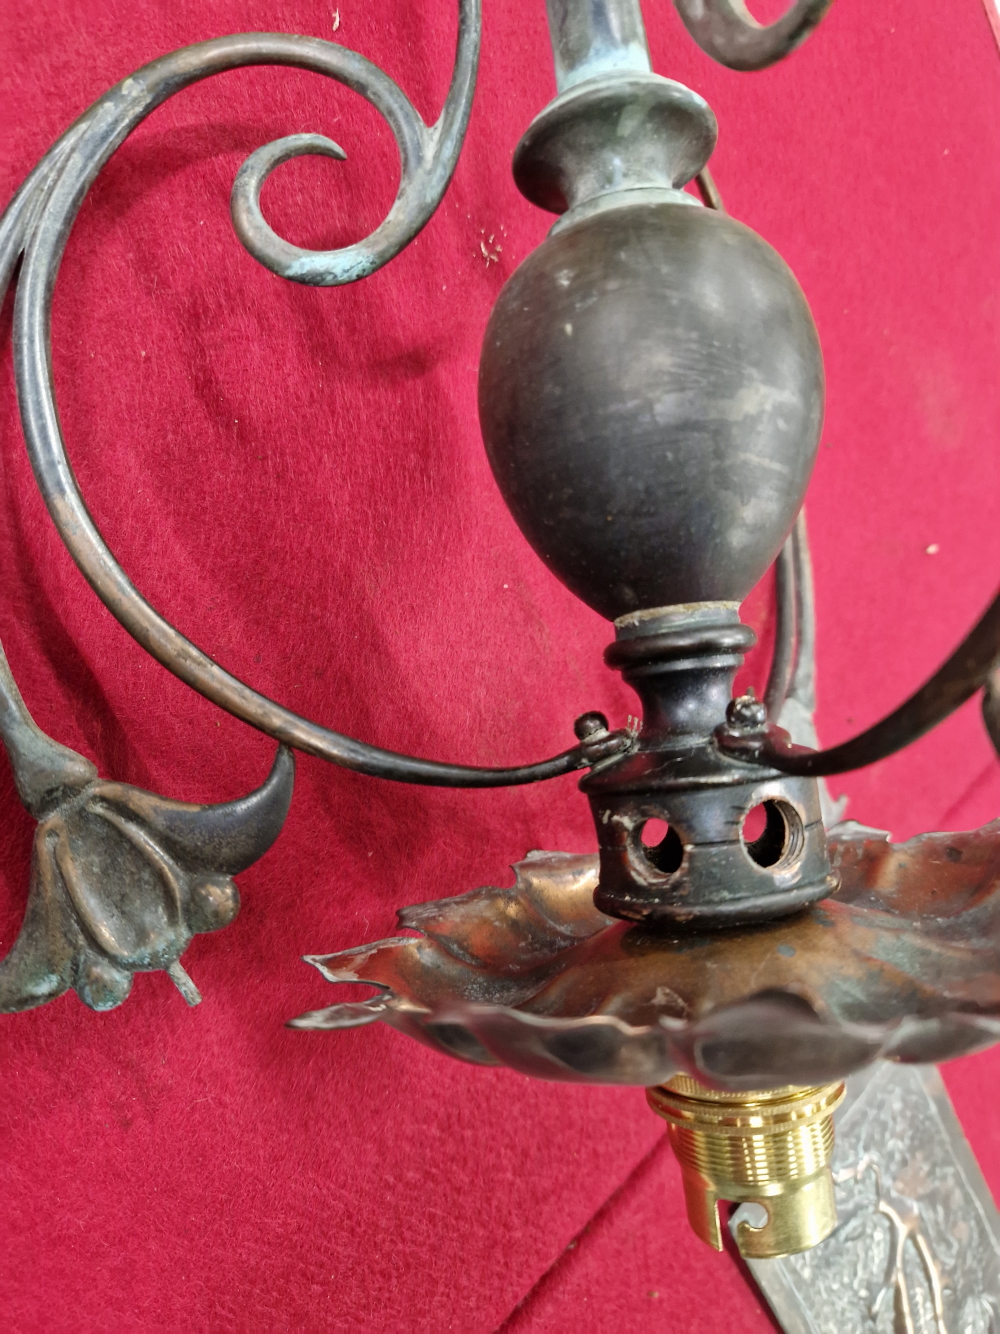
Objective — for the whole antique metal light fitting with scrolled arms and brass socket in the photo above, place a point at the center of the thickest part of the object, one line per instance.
(651, 401)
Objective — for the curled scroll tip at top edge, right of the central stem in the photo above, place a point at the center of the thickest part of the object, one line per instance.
(729, 33)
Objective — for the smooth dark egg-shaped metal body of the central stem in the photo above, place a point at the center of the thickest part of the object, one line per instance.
(651, 400)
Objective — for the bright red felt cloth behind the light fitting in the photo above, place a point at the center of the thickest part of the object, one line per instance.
(295, 478)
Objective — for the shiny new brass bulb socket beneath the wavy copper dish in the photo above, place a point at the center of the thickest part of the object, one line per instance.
(770, 1149)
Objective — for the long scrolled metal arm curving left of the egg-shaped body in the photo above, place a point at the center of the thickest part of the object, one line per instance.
(38, 226)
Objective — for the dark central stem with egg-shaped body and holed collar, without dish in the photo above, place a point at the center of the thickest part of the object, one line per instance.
(651, 397)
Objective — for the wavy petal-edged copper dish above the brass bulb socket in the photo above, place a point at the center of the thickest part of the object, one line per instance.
(905, 962)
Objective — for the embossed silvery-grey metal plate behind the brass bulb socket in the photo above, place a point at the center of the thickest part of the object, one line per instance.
(918, 1248)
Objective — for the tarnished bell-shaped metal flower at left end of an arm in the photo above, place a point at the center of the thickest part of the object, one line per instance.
(121, 880)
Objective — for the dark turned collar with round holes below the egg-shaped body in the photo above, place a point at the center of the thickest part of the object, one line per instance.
(706, 870)
